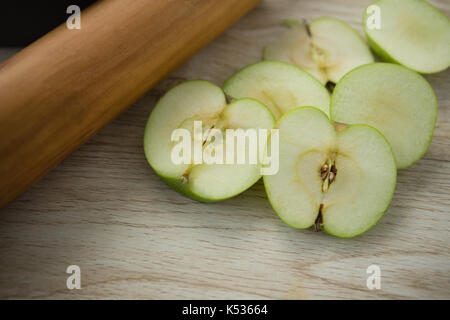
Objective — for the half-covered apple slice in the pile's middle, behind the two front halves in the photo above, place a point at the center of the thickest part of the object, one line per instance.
(278, 85)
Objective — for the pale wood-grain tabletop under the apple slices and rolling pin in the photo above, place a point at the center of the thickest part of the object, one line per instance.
(106, 211)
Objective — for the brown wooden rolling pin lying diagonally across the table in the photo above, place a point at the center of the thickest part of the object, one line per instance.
(59, 91)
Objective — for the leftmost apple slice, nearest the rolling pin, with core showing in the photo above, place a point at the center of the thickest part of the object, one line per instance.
(179, 108)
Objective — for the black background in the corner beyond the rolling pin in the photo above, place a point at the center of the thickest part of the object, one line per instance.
(24, 21)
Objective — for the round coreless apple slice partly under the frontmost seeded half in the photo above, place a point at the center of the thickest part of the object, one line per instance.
(395, 100)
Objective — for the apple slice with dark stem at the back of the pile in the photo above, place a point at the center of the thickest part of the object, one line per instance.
(327, 48)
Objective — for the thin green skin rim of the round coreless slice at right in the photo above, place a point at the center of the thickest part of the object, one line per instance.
(434, 102)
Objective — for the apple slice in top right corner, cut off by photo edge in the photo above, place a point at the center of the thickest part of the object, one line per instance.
(413, 33)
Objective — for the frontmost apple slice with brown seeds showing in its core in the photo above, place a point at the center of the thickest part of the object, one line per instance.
(338, 181)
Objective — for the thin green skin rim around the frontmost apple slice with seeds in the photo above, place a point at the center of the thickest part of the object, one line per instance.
(325, 229)
